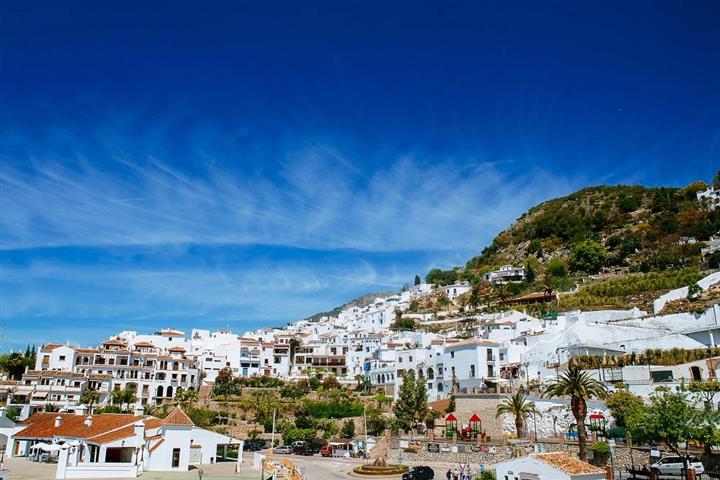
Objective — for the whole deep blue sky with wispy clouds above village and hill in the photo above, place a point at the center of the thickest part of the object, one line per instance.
(176, 164)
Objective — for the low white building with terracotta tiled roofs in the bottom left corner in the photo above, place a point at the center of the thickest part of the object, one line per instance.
(118, 445)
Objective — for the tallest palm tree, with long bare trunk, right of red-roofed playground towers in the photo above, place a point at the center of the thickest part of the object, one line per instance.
(580, 387)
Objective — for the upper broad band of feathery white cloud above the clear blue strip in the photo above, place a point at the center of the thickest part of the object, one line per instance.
(126, 191)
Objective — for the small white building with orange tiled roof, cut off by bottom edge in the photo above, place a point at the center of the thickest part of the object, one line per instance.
(548, 466)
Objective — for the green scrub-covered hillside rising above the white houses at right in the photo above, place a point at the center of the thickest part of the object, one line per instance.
(594, 242)
